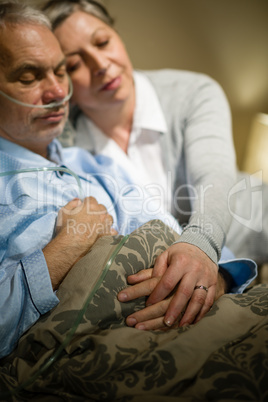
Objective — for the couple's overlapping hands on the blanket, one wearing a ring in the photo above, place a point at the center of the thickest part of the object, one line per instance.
(170, 285)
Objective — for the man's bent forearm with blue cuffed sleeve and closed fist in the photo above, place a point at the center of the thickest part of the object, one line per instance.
(27, 286)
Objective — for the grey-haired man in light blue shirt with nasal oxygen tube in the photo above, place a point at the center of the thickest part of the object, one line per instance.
(40, 241)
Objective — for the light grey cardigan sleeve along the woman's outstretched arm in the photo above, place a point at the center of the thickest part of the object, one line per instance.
(210, 165)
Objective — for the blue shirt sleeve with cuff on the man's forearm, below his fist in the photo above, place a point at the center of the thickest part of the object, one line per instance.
(25, 294)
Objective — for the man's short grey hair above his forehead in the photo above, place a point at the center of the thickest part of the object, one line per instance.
(13, 12)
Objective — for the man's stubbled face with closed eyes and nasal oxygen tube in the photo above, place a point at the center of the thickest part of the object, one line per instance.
(32, 70)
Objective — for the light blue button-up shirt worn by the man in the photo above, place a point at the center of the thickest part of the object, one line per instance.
(29, 205)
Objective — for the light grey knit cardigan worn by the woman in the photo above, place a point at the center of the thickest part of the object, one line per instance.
(199, 153)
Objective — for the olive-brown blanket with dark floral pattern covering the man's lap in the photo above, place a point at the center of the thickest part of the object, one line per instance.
(83, 351)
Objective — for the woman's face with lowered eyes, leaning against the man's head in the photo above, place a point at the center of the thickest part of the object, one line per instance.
(97, 62)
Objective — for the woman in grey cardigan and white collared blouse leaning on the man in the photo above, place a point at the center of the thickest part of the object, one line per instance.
(171, 131)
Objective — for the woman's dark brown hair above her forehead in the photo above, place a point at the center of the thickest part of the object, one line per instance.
(59, 10)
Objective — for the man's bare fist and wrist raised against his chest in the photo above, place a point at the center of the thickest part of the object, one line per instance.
(78, 226)
